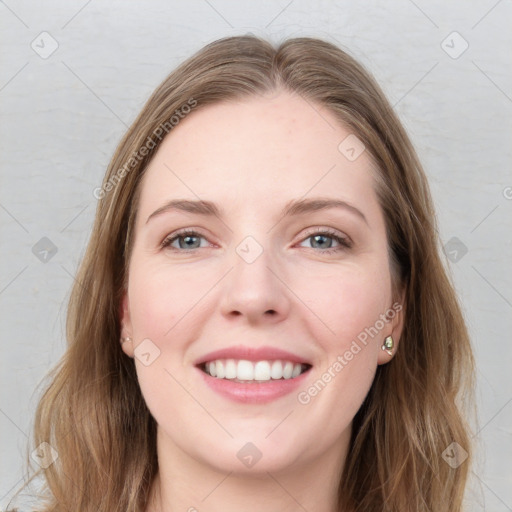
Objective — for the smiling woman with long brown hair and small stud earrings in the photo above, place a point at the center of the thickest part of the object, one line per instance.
(262, 319)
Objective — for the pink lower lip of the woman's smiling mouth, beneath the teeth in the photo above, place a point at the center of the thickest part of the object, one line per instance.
(254, 392)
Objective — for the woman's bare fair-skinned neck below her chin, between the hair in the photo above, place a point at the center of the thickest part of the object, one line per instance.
(186, 484)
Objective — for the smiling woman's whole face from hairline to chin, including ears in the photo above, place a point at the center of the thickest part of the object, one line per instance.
(244, 266)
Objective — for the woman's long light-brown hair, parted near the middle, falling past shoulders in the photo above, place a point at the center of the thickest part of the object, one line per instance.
(93, 413)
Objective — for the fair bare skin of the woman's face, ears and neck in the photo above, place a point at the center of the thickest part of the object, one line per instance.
(251, 157)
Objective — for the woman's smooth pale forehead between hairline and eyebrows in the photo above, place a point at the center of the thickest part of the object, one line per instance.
(262, 148)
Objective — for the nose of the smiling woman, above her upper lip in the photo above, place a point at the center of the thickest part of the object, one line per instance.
(256, 292)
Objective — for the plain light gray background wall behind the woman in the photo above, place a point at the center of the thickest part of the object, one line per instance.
(63, 115)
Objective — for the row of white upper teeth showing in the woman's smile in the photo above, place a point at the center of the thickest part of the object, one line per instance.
(244, 370)
